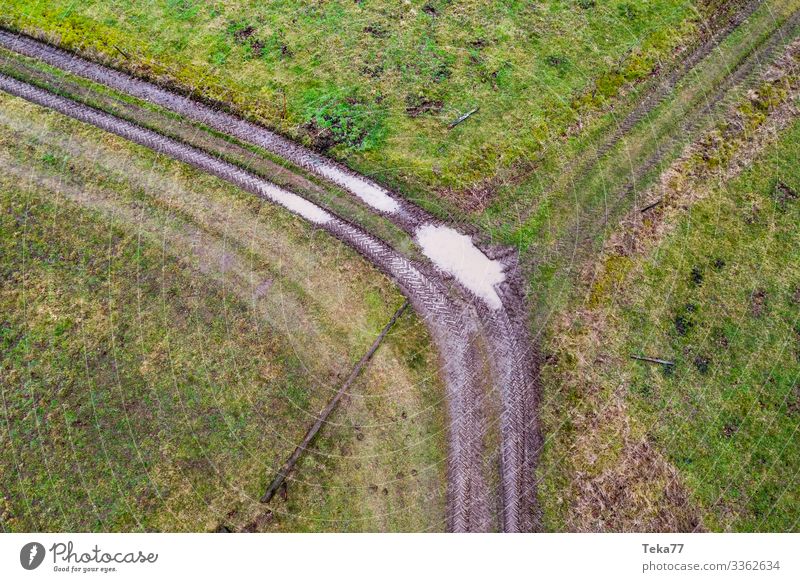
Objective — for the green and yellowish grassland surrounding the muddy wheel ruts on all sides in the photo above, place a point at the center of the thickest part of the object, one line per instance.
(165, 340)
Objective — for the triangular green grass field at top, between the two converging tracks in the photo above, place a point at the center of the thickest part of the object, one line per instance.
(377, 82)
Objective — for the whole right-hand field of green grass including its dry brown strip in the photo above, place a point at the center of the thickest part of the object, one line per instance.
(710, 442)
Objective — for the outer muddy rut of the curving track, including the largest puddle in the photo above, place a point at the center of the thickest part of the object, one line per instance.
(510, 355)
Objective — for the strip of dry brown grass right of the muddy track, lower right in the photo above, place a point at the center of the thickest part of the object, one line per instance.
(618, 480)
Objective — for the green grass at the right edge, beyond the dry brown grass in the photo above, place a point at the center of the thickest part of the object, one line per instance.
(727, 291)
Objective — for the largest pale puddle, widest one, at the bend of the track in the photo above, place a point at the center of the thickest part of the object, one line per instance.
(455, 254)
